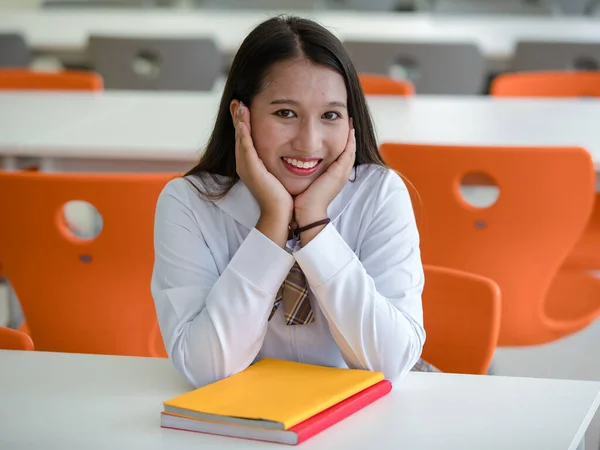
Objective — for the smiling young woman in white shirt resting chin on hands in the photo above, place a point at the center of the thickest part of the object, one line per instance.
(290, 239)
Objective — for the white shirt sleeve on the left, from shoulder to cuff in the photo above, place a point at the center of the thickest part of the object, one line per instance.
(213, 325)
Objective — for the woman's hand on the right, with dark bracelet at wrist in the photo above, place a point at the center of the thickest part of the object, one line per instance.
(311, 205)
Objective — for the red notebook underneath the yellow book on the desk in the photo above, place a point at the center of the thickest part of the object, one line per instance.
(294, 435)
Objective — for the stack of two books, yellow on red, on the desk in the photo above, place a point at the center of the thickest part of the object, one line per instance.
(275, 401)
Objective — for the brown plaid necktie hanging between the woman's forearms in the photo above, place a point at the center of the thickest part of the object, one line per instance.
(294, 294)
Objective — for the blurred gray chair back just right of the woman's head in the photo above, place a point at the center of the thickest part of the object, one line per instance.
(449, 68)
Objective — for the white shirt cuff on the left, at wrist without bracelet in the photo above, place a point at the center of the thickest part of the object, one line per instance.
(262, 262)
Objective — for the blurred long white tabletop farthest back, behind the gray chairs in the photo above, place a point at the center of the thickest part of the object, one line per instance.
(64, 29)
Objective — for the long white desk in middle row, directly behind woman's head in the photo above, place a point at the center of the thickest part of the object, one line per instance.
(166, 131)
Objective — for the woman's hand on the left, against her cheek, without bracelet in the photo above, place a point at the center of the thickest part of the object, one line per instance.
(276, 204)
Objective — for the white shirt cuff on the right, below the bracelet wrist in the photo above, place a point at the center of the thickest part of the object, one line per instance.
(324, 256)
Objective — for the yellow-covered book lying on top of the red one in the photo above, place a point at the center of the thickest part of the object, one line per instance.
(272, 394)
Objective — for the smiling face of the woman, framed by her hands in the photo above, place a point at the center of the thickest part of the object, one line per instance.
(299, 122)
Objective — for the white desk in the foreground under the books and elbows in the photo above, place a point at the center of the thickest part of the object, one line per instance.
(54, 400)
